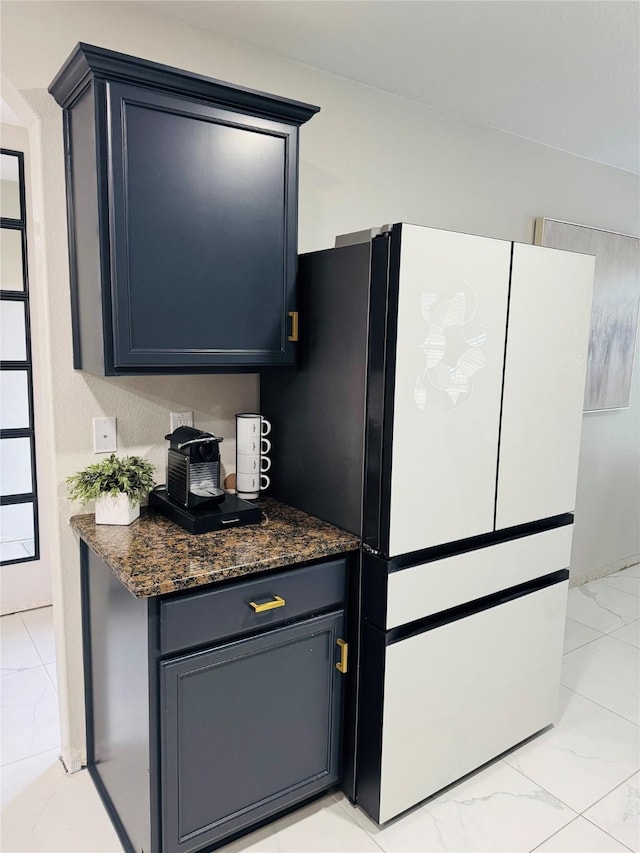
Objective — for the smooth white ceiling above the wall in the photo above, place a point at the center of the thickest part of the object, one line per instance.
(562, 72)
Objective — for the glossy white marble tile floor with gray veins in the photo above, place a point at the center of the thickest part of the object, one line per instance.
(575, 787)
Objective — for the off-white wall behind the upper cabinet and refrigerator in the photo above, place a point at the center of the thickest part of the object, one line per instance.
(366, 158)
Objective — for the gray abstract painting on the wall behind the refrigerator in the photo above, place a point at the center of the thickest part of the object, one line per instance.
(614, 316)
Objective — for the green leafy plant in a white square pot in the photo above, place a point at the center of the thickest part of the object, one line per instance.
(116, 485)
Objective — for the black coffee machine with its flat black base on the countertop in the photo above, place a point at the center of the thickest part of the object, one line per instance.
(193, 497)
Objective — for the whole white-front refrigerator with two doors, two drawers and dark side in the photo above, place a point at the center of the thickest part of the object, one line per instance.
(436, 411)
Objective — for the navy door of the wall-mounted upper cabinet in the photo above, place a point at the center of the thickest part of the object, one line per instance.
(201, 242)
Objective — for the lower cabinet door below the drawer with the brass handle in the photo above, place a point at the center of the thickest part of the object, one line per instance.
(249, 728)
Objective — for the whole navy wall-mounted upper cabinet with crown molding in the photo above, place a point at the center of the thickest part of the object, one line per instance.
(182, 209)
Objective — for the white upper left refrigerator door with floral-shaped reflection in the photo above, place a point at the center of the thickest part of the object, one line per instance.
(448, 381)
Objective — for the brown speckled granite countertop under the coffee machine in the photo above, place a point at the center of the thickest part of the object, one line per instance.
(153, 555)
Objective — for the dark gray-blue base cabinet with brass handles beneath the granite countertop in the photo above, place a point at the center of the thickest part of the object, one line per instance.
(191, 746)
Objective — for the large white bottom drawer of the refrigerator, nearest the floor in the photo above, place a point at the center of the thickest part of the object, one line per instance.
(458, 695)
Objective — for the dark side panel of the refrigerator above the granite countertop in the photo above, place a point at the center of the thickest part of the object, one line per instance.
(318, 411)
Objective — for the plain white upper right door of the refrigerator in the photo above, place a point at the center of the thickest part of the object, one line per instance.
(546, 358)
